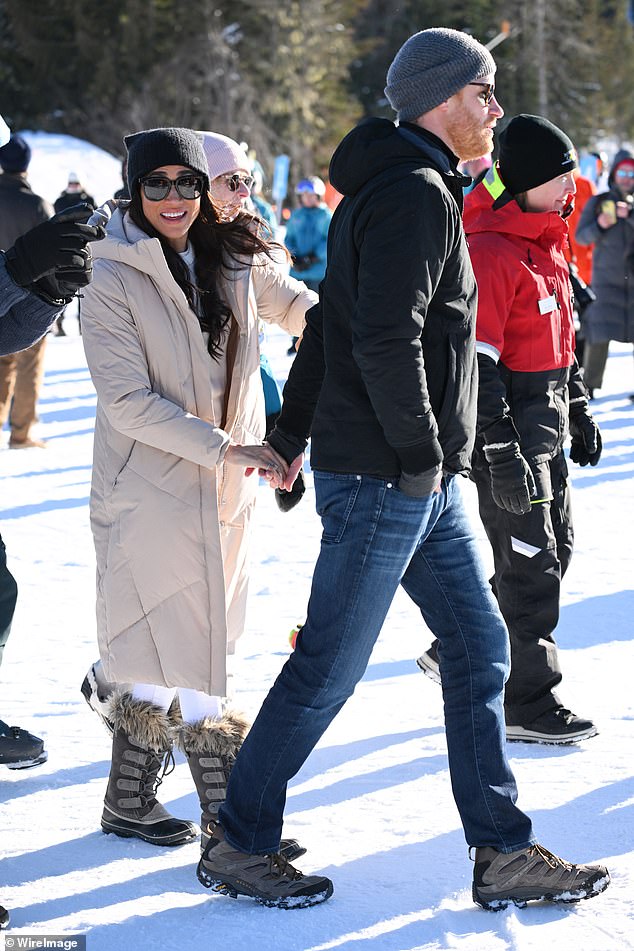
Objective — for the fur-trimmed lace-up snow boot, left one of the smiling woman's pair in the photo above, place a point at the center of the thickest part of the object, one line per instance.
(141, 745)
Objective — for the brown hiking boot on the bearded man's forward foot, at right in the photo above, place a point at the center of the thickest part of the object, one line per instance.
(532, 874)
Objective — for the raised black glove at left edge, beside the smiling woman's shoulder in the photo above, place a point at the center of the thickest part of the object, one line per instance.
(57, 248)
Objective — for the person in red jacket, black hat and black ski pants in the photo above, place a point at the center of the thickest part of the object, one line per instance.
(529, 388)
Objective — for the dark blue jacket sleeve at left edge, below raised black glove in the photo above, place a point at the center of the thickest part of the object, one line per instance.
(24, 318)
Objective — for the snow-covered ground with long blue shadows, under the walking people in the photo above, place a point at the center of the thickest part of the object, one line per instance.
(373, 803)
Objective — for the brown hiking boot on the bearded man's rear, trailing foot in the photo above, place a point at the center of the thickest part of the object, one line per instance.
(270, 879)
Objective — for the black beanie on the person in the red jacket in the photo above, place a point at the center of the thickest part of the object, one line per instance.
(533, 151)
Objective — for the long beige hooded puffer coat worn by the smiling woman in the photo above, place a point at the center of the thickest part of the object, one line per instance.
(170, 522)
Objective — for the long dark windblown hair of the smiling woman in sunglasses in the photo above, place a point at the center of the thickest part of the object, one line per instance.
(217, 246)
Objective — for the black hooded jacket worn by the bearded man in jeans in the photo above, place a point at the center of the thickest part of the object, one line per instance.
(385, 377)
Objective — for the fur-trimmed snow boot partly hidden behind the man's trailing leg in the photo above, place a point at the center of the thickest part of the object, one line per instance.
(211, 747)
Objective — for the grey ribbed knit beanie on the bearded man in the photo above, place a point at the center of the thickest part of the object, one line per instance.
(432, 66)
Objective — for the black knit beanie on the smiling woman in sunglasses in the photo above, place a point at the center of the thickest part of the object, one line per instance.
(155, 147)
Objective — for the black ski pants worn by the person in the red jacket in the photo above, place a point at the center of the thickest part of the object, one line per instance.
(531, 554)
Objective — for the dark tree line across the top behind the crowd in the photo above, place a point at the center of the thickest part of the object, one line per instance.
(293, 76)
